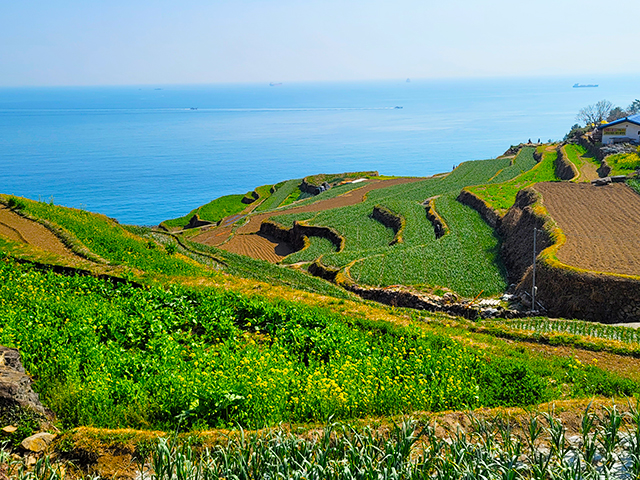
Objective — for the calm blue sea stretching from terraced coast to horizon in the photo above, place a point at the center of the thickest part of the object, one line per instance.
(143, 154)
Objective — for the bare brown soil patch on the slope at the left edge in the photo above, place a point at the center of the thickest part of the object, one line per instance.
(19, 229)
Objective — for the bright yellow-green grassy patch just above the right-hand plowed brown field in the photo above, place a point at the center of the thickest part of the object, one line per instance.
(501, 196)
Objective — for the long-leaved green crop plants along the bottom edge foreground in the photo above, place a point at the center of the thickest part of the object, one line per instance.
(599, 446)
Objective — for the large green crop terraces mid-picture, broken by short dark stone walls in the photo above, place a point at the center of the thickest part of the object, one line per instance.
(420, 259)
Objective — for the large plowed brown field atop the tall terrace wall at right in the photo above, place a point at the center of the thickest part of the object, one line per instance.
(602, 225)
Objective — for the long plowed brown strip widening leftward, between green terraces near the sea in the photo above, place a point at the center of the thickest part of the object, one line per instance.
(247, 241)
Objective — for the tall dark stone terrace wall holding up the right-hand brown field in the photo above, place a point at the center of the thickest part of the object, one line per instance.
(564, 291)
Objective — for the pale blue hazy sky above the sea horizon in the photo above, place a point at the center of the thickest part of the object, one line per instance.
(114, 42)
